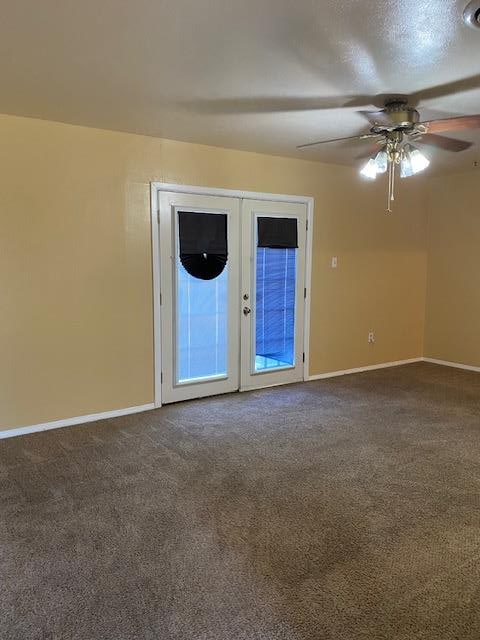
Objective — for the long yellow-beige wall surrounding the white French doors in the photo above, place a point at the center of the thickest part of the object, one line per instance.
(75, 262)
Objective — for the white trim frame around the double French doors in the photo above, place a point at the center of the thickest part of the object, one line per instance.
(155, 189)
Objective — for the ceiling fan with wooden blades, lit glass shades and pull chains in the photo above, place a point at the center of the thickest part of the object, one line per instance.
(393, 130)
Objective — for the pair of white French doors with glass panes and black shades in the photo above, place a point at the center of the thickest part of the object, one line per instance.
(232, 278)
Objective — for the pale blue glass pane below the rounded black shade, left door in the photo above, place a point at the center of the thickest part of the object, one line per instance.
(202, 316)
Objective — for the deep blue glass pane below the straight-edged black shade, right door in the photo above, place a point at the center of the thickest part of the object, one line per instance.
(275, 308)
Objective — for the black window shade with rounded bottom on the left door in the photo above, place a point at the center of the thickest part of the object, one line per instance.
(203, 243)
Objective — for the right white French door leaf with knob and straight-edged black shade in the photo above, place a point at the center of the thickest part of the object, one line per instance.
(273, 286)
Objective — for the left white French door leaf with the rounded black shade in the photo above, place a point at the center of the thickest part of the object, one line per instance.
(199, 280)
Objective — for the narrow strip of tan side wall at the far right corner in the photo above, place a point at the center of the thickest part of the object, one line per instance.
(453, 302)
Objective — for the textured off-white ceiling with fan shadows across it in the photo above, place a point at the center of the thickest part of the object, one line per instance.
(262, 75)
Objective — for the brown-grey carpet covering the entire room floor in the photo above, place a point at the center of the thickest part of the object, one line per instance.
(342, 509)
